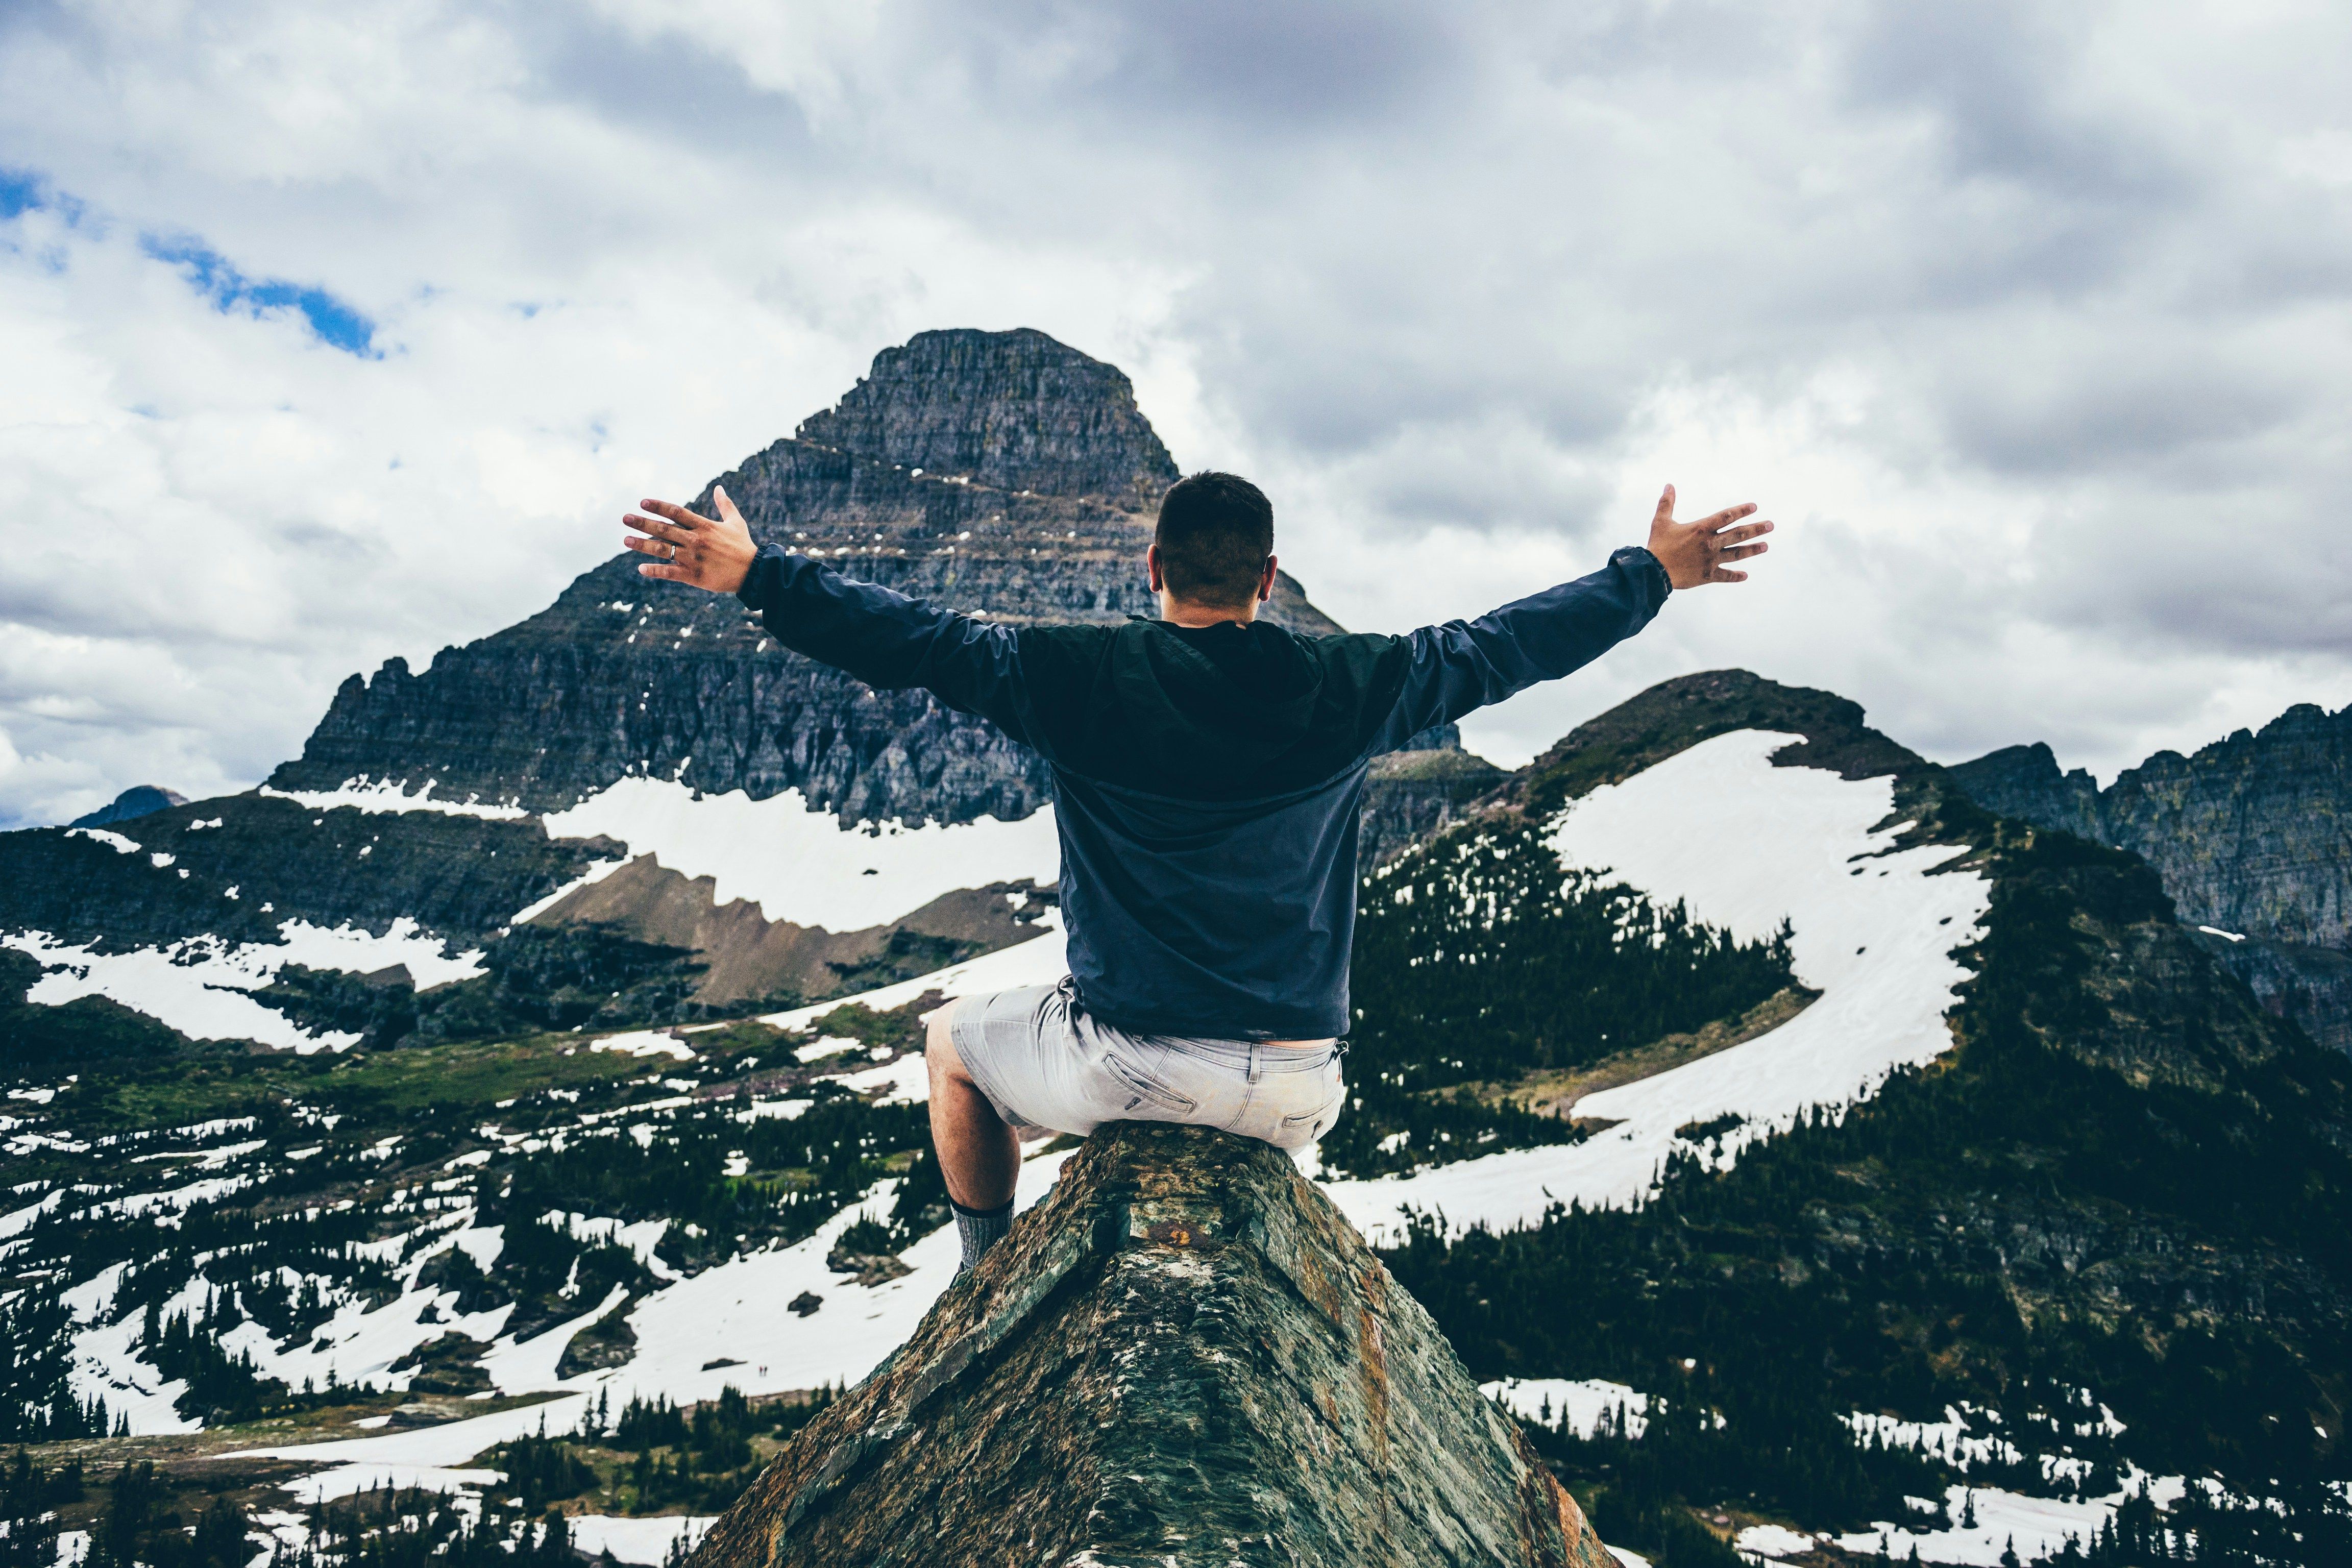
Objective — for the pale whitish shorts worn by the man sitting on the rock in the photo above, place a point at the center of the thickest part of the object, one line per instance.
(1045, 1064)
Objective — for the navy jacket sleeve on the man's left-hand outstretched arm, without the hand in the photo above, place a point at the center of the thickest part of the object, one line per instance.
(886, 638)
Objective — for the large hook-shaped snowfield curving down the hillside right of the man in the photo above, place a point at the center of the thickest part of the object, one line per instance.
(1744, 845)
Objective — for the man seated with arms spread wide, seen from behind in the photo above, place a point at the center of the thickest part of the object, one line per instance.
(1208, 772)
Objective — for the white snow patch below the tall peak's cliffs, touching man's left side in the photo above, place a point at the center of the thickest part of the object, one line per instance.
(806, 866)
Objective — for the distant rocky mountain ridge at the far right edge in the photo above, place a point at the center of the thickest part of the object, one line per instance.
(2252, 838)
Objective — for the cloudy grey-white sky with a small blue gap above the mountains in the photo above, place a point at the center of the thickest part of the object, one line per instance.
(342, 333)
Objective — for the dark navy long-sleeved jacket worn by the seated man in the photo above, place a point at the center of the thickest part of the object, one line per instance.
(1205, 779)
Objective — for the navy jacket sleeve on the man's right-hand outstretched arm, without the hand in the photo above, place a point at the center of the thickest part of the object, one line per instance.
(1462, 666)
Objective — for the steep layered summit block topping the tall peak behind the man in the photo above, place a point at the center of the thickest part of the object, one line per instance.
(1013, 410)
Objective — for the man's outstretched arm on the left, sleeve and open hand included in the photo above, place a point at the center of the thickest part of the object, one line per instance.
(874, 634)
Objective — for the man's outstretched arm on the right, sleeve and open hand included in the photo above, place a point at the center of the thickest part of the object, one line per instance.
(1469, 664)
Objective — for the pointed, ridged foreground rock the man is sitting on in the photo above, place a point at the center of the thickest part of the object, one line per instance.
(1184, 1355)
